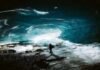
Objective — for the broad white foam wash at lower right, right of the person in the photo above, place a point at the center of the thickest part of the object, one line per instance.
(89, 53)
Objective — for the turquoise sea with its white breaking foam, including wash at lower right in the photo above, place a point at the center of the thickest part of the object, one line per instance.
(65, 32)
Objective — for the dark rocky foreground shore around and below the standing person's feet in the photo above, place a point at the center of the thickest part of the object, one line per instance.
(62, 59)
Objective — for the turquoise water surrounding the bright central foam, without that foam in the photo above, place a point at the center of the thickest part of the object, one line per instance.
(25, 26)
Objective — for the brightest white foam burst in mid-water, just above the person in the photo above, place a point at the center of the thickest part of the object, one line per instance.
(48, 37)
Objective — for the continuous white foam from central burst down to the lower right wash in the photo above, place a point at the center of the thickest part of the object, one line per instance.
(89, 53)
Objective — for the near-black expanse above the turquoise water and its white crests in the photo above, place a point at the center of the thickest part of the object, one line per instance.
(71, 7)
